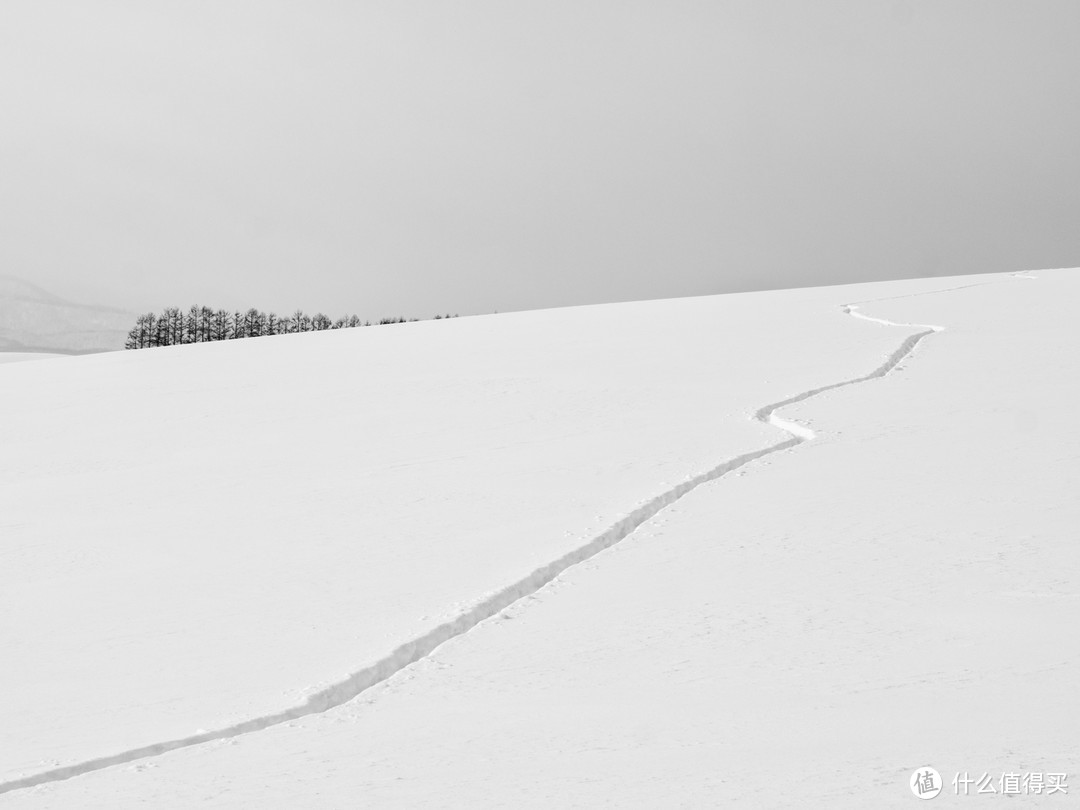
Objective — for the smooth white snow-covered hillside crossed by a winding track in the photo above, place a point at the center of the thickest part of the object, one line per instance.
(247, 524)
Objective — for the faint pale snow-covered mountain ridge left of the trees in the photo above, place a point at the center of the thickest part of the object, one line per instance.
(33, 319)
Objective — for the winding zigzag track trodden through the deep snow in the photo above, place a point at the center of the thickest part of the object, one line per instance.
(421, 647)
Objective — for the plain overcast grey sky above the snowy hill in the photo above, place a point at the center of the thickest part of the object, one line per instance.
(421, 156)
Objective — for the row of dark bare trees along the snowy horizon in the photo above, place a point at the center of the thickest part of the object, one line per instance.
(204, 325)
